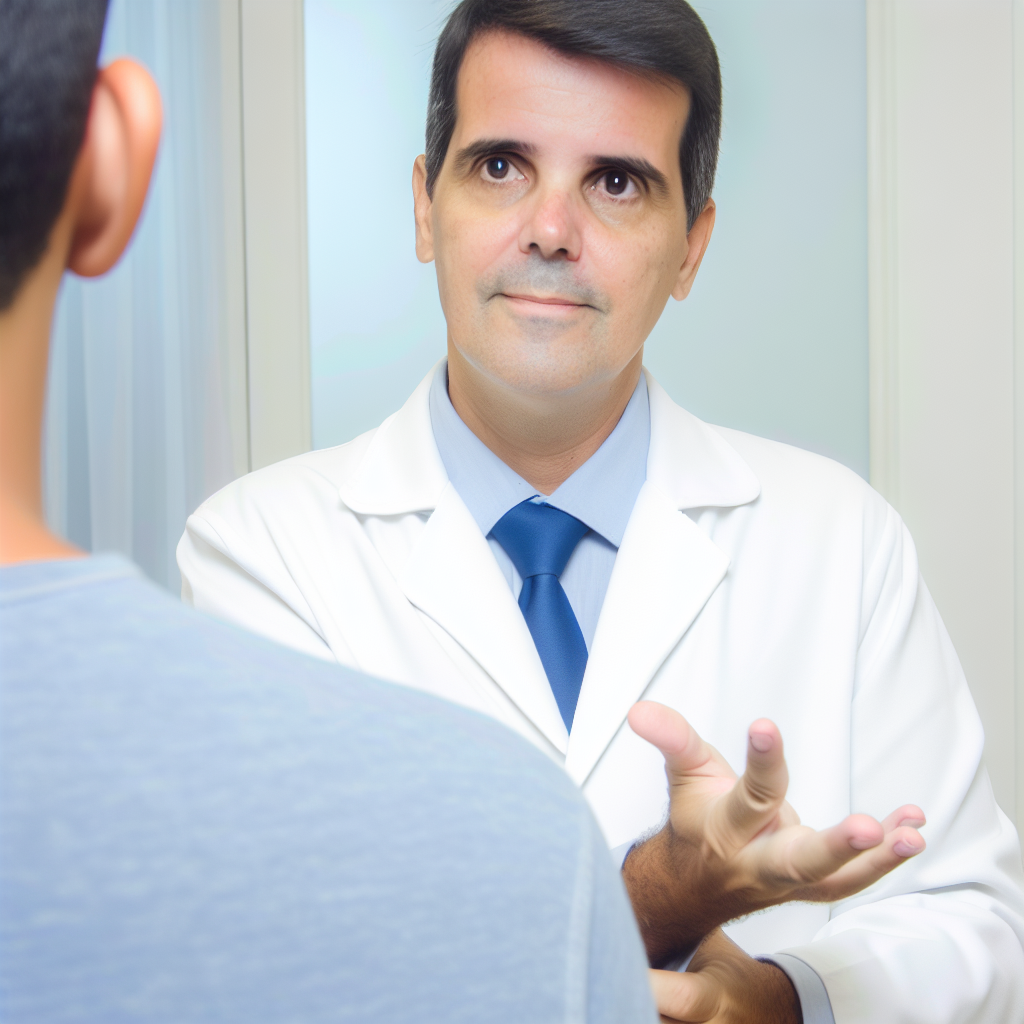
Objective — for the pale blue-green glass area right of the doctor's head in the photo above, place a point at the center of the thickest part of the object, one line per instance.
(774, 339)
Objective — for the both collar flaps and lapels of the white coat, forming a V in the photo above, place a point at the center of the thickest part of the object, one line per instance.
(666, 570)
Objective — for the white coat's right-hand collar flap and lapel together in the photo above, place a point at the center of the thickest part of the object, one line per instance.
(666, 571)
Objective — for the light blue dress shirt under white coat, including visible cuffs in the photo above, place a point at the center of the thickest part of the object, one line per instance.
(602, 493)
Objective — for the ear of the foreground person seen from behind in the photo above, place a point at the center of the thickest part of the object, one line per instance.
(112, 175)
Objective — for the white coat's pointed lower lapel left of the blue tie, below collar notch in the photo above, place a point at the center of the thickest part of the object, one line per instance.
(453, 577)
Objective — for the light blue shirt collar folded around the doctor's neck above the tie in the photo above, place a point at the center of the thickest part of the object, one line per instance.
(602, 493)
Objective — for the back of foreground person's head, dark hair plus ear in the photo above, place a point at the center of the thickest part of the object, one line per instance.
(77, 144)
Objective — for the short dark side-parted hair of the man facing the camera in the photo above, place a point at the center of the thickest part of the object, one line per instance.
(656, 38)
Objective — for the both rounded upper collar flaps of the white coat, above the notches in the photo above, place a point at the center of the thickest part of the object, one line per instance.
(401, 470)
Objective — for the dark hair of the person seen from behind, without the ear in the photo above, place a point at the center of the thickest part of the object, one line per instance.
(49, 54)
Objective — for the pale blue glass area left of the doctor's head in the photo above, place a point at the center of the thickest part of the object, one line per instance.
(375, 322)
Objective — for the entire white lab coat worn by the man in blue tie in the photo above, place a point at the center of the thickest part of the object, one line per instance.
(754, 580)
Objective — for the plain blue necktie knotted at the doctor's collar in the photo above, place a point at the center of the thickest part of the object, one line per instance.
(540, 539)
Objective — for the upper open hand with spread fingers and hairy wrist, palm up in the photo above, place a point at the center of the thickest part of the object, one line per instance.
(735, 846)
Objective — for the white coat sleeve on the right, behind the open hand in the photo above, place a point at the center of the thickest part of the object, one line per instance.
(940, 941)
